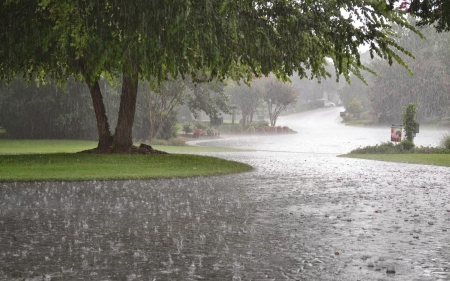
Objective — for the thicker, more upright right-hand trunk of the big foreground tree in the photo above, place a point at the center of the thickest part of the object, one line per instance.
(123, 141)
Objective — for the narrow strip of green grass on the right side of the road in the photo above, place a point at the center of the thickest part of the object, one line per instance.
(425, 159)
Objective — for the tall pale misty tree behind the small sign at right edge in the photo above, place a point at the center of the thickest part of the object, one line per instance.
(429, 87)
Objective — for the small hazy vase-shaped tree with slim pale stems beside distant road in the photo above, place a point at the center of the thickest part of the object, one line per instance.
(278, 95)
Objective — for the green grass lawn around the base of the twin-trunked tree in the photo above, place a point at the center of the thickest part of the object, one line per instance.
(44, 160)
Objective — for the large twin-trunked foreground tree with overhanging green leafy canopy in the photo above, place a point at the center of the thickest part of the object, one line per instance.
(153, 40)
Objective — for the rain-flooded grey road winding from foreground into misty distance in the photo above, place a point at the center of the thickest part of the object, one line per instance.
(302, 214)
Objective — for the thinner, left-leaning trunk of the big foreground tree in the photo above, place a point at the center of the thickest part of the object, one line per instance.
(104, 134)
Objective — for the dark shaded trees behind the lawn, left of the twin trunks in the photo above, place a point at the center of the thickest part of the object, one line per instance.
(46, 111)
